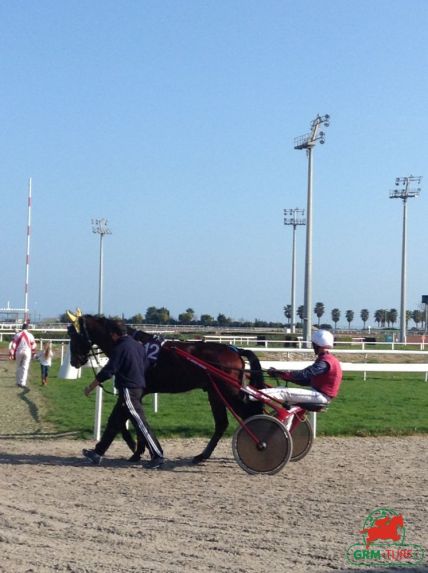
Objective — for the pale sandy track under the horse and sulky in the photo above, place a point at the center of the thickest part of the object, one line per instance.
(61, 514)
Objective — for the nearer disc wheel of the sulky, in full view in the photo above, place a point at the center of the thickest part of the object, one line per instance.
(262, 446)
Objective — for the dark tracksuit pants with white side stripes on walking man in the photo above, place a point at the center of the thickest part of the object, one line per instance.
(128, 406)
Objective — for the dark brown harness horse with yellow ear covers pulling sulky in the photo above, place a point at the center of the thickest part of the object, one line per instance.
(171, 373)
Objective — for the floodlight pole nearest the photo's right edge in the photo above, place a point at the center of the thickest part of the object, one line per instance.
(404, 193)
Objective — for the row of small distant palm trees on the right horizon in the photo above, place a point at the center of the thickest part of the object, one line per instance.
(382, 317)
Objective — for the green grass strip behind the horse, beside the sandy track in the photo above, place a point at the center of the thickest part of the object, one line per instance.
(385, 404)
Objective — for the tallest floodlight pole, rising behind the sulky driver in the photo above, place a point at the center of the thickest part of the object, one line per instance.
(308, 142)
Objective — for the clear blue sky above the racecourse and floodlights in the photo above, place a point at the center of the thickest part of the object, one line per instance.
(176, 122)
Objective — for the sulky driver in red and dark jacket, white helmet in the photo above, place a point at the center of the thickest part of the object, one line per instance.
(321, 380)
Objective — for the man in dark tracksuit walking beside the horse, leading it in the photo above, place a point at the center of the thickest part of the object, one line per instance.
(127, 363)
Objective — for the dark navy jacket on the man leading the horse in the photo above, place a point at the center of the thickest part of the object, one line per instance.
(127, 363)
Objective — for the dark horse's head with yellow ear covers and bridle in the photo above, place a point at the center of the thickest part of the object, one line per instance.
(85, 331)
